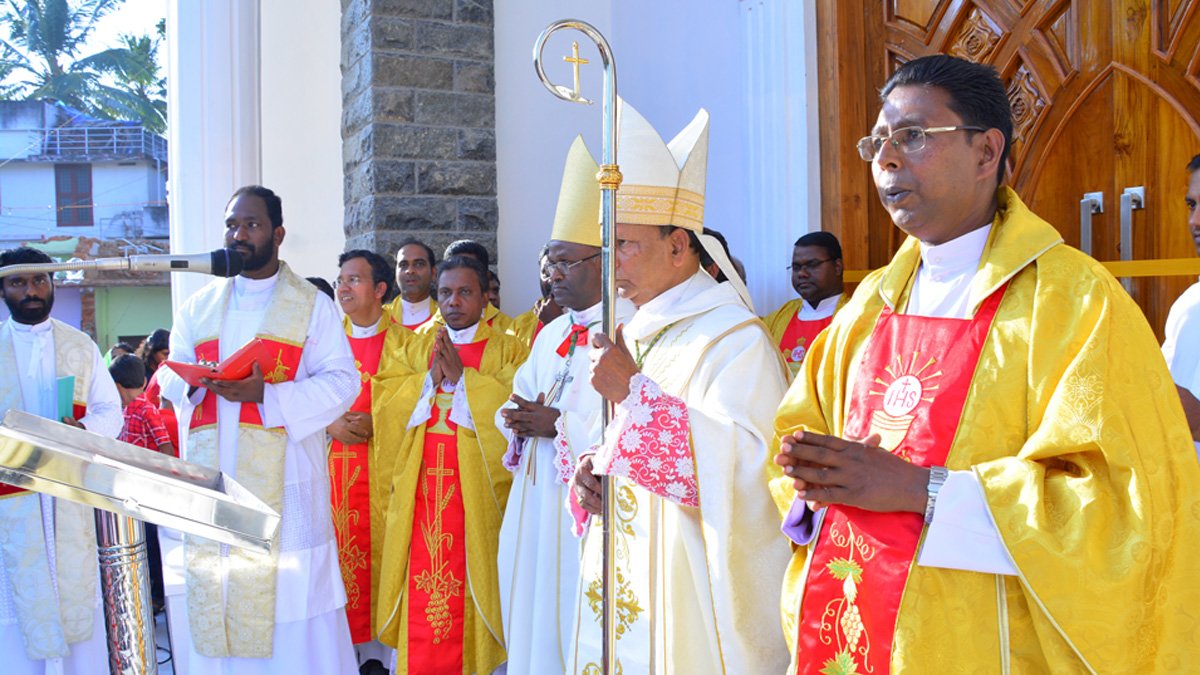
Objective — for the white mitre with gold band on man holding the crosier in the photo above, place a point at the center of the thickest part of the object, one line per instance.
(663, 183)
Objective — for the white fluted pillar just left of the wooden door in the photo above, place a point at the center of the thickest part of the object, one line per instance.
(783, 141)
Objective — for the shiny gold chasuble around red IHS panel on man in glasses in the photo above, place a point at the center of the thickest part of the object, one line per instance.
(1076, 434)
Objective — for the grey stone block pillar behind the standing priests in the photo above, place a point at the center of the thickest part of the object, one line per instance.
(418, 123)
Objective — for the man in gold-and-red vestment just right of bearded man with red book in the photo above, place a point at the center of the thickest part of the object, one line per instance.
(359, 470)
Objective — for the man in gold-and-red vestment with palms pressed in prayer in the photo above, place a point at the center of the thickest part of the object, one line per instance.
(436, 398)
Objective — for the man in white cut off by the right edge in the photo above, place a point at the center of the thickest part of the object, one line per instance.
(1181, 347)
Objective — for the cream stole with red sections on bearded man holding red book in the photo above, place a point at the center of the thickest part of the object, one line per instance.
(231, 598)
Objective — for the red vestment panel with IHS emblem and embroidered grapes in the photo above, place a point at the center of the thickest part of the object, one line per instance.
(910, 390)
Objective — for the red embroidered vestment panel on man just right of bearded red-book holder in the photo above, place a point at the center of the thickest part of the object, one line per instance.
(351, 492)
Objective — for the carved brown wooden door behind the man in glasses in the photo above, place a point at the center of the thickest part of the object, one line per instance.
(1106, 97)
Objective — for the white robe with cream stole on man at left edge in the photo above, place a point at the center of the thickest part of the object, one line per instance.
(52, 620)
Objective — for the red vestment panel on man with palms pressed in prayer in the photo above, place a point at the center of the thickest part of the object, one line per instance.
(437, 563)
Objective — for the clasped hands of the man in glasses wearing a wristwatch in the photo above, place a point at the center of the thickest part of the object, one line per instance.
(827, 470)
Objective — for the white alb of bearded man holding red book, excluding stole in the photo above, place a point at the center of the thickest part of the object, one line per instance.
(311, 631)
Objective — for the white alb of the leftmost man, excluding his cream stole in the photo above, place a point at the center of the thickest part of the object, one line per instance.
(37, 377)
